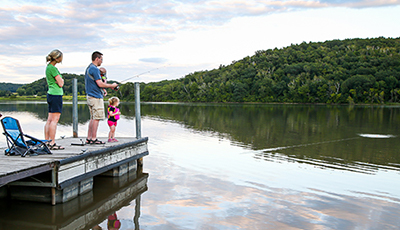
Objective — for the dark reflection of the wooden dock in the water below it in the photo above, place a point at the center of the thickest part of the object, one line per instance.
(83, 212)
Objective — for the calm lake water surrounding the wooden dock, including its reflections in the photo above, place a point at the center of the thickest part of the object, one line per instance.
(248, 166)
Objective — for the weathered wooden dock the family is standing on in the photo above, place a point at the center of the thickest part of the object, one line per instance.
(68, 173)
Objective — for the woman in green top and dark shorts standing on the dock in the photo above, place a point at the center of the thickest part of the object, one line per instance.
(54, 97)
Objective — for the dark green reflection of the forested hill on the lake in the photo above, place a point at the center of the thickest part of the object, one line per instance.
(313, 132)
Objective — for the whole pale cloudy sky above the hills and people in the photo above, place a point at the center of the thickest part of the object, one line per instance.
(155, 40)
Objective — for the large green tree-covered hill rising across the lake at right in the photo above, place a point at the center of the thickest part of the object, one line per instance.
(337, 71)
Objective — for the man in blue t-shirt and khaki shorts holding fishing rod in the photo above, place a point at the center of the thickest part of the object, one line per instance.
(94, 90)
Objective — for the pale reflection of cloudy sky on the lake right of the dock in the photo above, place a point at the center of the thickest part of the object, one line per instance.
(211, 189)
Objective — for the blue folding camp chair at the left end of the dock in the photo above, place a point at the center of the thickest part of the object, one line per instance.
(19, 143)
